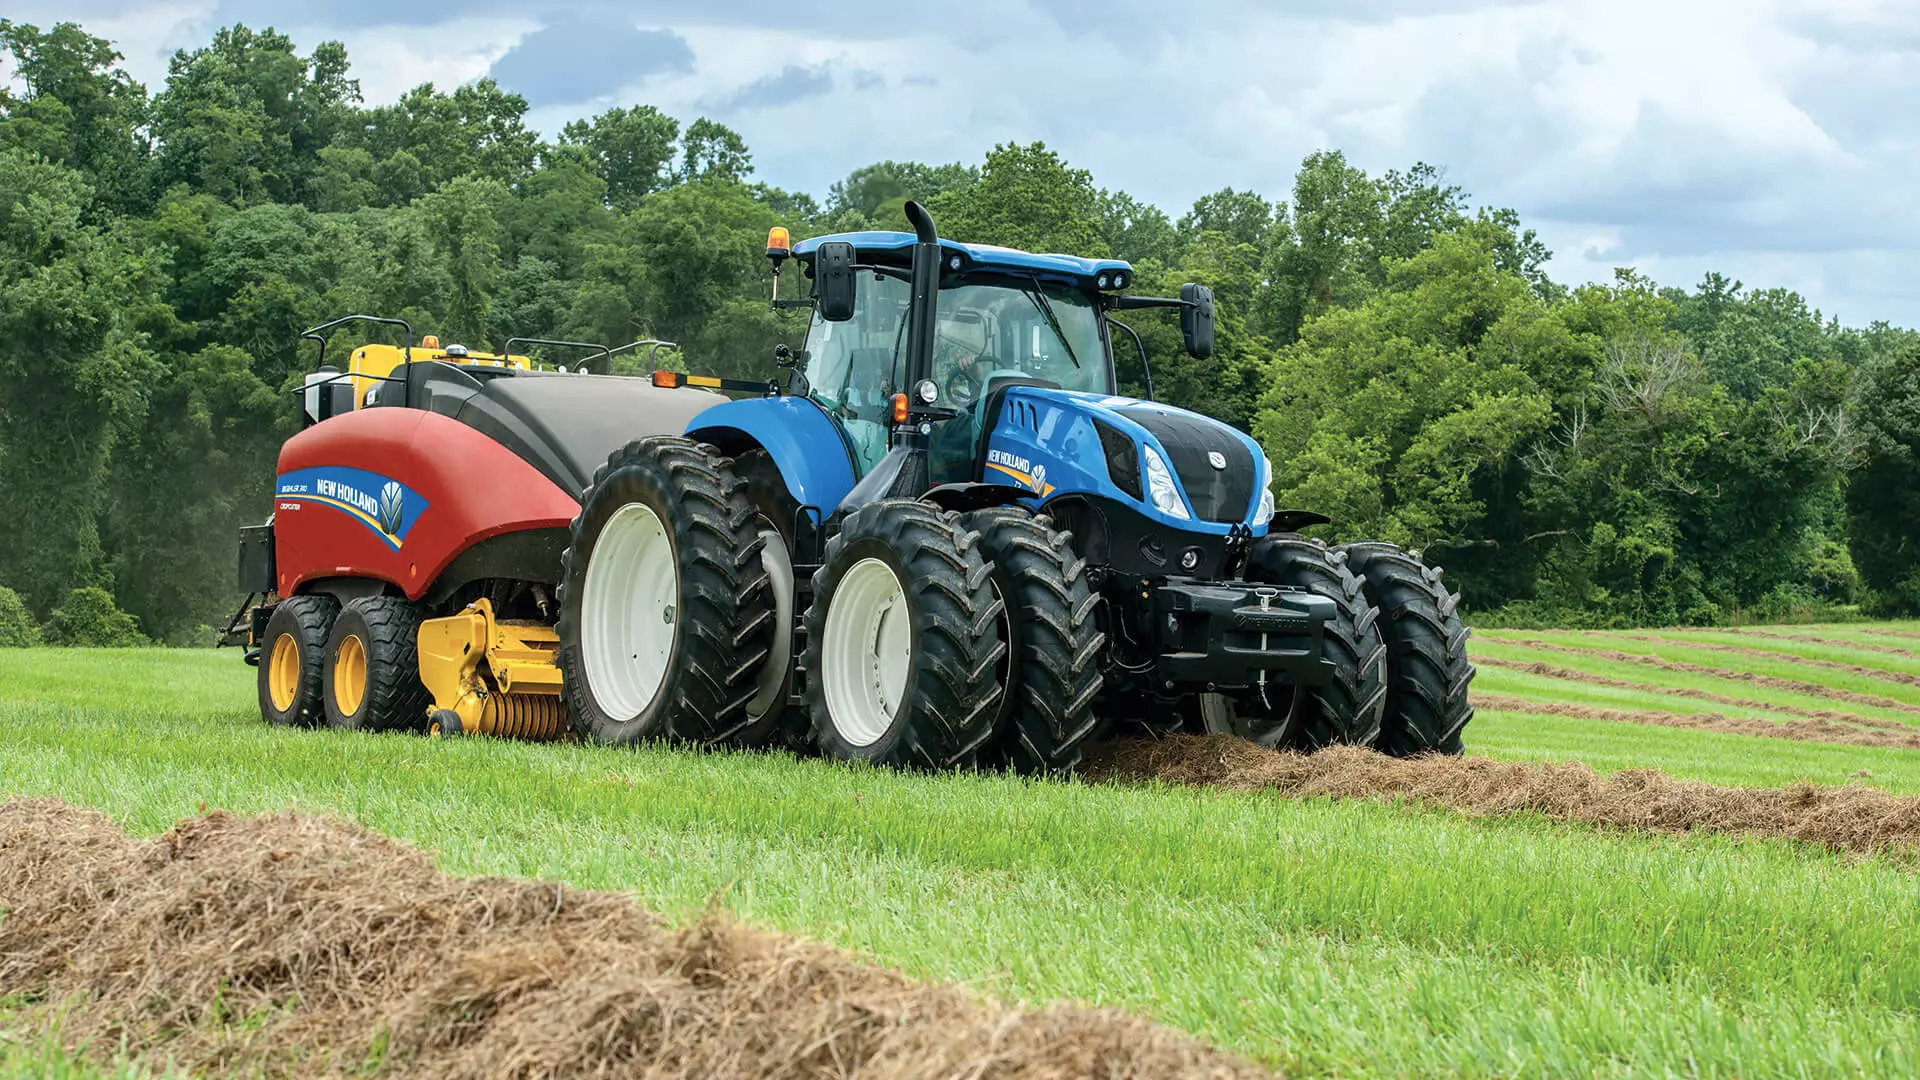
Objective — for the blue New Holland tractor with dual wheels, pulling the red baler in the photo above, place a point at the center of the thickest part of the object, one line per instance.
(948, 541)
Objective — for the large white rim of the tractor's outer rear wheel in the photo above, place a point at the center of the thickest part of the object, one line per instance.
(629, 612)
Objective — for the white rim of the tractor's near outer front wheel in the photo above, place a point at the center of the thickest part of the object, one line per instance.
(865, 652)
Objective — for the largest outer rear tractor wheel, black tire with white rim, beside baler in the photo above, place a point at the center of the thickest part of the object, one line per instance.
(665, 606)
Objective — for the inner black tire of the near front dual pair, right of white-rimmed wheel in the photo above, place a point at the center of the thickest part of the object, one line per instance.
(1051, 674)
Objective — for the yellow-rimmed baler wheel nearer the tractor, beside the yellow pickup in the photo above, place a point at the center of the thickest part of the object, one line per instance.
(387, 691)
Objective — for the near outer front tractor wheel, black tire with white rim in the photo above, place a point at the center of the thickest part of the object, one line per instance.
(903, 641)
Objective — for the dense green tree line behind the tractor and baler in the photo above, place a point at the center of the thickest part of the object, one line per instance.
(1595, 454)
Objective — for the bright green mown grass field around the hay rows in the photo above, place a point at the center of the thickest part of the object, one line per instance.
(1328, 939)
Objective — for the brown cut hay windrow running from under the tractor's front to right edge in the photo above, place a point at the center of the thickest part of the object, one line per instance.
(1854, 820)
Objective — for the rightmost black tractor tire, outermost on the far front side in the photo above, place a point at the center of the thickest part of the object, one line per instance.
(1428, 670)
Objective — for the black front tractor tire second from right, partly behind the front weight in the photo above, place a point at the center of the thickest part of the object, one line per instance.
(1347, 710)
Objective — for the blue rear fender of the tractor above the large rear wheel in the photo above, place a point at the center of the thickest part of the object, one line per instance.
(798, 435)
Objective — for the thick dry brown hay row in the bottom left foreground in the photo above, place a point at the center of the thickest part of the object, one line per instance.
(299, 946)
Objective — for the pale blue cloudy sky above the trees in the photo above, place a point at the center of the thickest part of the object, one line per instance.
(1775, 141)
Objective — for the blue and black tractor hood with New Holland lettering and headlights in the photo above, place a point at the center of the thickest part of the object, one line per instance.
(1061, 443)
